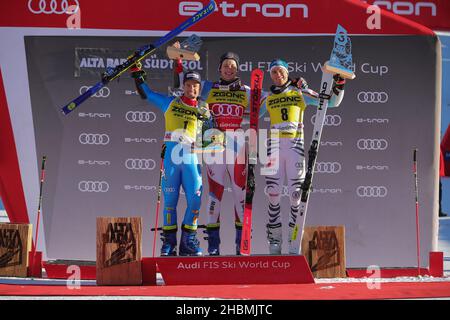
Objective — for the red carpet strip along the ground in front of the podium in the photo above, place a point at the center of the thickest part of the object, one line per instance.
(327, 291)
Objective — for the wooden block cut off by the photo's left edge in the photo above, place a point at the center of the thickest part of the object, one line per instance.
(15, 244)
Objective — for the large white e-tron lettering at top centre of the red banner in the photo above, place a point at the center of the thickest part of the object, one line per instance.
(239, 10)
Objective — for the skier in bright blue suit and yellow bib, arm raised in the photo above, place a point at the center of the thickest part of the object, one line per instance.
(184, 118)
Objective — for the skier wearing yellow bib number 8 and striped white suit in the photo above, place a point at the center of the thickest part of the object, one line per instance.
(285, 104)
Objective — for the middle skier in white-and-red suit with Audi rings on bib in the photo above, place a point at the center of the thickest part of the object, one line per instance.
(228, 100)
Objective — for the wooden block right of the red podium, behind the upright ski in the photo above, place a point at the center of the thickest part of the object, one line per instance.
(324, 249)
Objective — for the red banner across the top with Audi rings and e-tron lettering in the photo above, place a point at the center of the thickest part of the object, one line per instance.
(256, 16)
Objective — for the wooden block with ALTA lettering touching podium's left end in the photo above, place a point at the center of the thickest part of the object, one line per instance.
(119, 251)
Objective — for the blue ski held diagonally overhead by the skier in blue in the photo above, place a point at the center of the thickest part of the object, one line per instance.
(113, 73)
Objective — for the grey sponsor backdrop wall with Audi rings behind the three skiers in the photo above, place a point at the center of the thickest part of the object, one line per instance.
(103, 159)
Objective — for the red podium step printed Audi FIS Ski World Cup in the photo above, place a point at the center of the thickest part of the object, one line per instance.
(257, 269)
